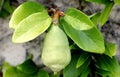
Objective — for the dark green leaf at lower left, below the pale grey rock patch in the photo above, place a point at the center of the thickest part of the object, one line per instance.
(28, 67)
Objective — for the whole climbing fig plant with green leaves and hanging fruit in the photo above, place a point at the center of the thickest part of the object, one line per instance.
(73, 45)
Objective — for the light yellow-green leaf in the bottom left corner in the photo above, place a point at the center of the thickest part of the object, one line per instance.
(13, 72)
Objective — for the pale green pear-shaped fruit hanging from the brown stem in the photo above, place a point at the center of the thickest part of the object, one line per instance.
(56, 52)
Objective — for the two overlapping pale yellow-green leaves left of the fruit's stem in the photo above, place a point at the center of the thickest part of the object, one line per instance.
(29, 21)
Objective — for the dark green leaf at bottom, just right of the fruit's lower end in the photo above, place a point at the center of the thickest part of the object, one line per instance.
(71, 70)
